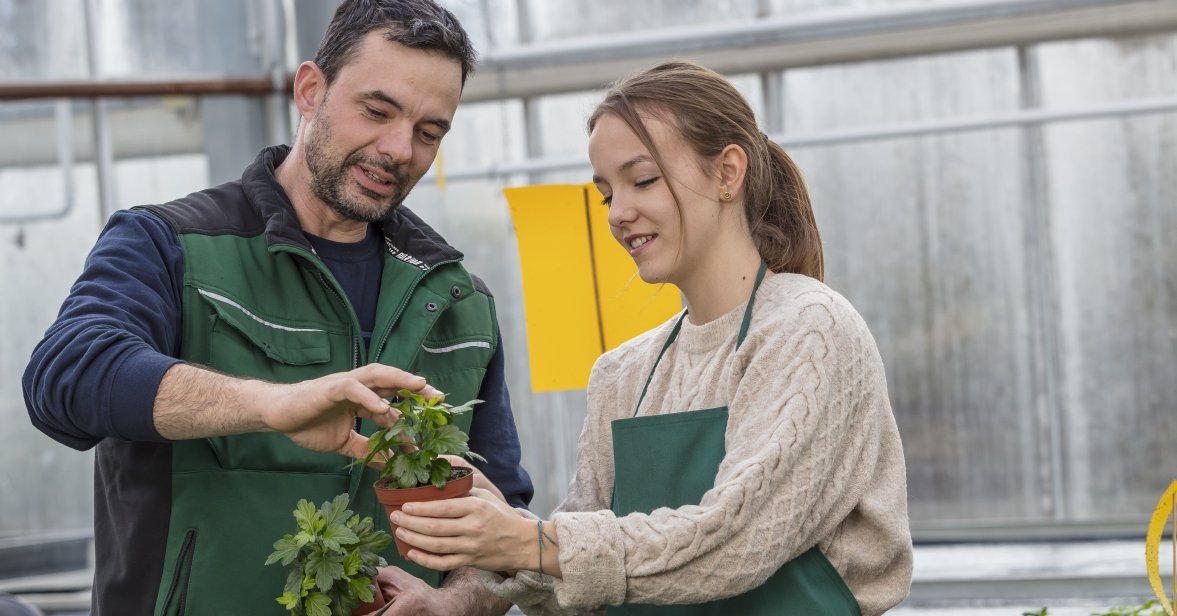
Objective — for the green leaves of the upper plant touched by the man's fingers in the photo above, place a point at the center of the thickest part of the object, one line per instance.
(413, 447)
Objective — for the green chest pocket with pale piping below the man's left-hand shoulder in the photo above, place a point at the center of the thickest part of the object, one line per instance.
(247, 343)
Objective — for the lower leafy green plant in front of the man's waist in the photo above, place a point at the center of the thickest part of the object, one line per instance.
(335, 557)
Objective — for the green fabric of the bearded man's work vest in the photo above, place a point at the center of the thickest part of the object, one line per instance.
(255, 306)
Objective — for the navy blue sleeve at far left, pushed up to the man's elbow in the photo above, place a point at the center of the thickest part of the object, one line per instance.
(98, 369)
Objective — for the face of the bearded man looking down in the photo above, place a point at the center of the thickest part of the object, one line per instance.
(378, 128)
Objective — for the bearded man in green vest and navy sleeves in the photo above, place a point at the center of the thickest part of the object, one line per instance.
(227, 352)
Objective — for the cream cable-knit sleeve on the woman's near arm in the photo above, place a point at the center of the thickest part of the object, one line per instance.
(803, 420)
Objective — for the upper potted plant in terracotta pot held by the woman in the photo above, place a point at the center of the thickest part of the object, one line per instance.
(411, 452)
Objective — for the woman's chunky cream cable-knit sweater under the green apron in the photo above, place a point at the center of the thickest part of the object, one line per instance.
(813, 458)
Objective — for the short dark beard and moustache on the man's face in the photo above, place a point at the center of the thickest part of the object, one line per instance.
(329, 181)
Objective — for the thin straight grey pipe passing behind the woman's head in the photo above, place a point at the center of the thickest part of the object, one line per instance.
(866, 134)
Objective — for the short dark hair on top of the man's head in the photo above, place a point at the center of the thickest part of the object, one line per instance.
(417, 24)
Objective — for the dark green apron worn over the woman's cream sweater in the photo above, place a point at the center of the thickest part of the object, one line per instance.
(683, 451)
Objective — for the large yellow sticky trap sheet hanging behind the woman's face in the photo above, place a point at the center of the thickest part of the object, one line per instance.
(582, 293)
